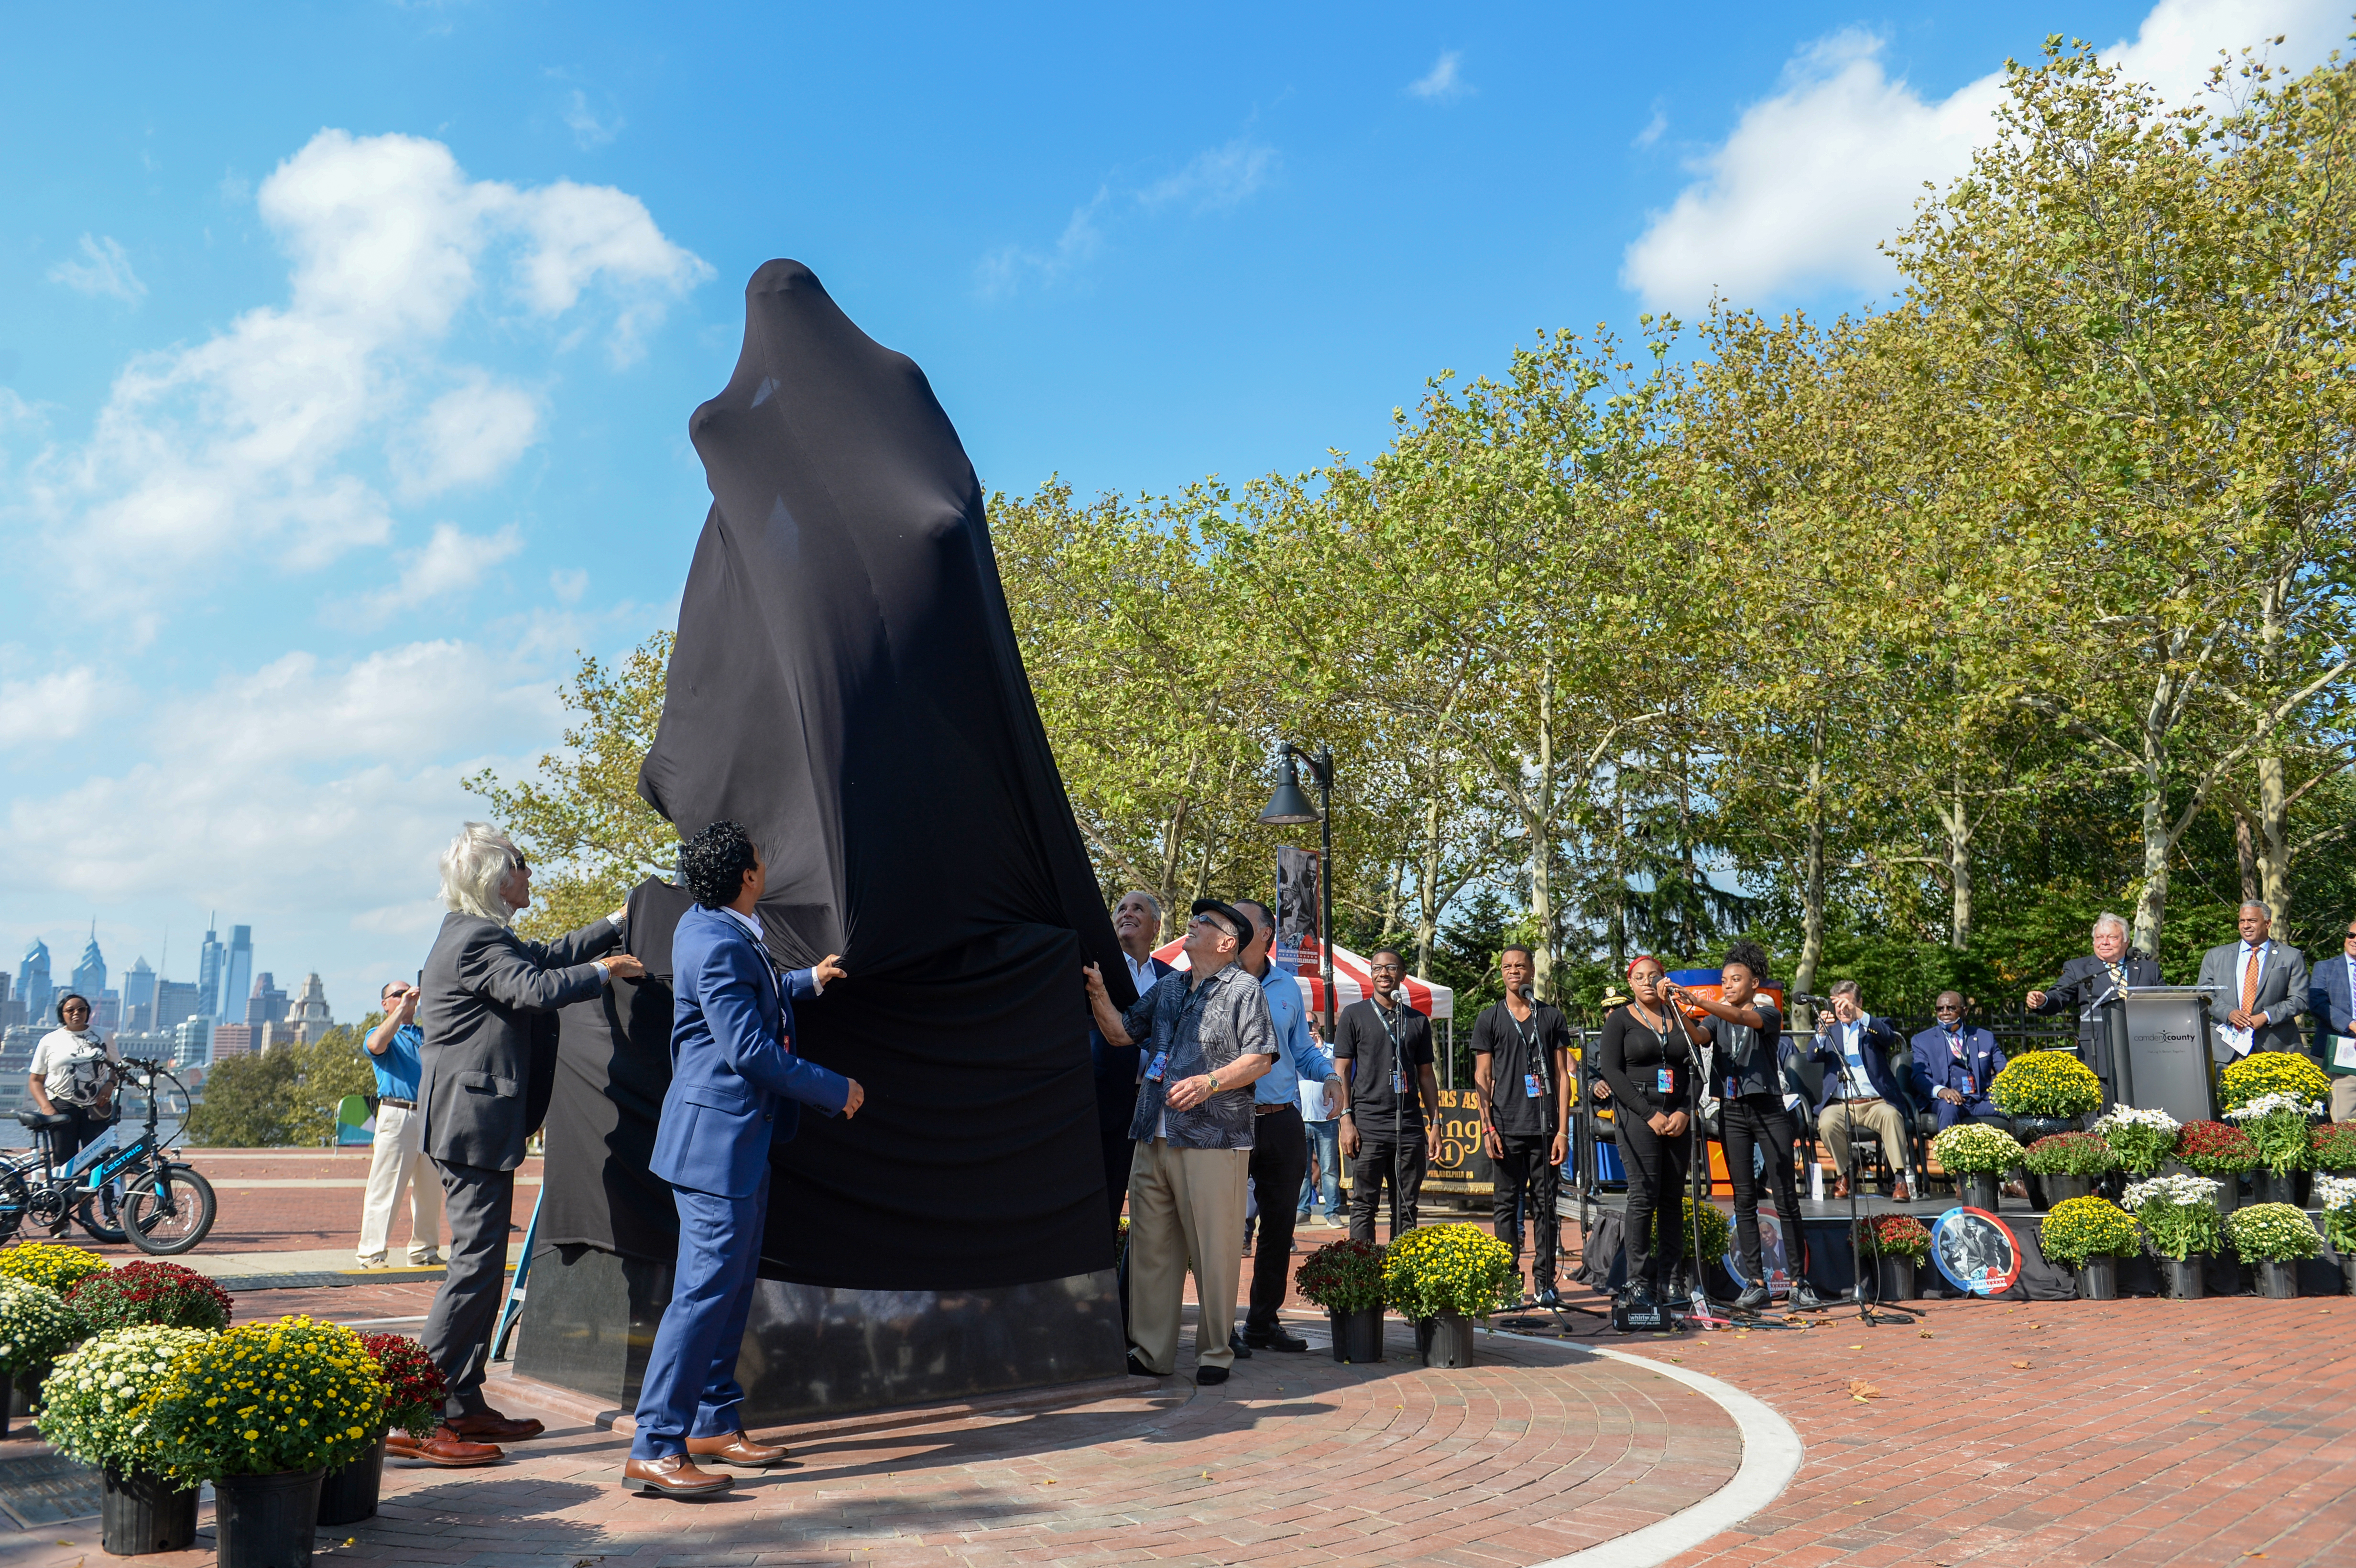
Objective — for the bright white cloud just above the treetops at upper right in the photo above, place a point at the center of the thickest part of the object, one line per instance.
(1818, 175)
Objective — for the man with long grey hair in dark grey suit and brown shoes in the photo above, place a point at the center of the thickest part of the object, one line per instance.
(489, 1065)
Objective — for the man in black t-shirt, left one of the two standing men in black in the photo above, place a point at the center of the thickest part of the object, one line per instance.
(1387, 1094)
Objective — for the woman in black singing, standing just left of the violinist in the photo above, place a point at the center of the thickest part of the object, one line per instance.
(1648, 1058)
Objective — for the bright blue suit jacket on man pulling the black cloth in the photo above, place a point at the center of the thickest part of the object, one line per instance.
(736, 1082)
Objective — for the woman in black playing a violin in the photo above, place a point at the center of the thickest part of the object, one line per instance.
(1747, 1070)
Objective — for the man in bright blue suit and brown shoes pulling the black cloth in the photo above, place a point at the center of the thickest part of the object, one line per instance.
(736, 1089)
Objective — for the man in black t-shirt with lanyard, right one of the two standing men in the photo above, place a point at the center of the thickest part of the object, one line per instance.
(1521, 1072)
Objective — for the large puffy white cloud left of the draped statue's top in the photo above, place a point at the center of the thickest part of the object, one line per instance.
(265, 437)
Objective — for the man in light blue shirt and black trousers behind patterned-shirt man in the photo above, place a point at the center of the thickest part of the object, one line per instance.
(1280, 1143)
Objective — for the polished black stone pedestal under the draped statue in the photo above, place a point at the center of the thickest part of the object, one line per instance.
(814, 1353)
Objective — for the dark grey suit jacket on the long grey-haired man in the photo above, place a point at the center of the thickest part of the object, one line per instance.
(489, 1018)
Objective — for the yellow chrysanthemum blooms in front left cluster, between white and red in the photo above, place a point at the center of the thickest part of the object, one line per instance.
(267, 1400)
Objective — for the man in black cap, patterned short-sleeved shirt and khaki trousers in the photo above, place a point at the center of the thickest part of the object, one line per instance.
(1205, 1039)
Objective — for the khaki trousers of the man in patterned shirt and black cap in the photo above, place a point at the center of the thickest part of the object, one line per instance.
(1184, 1204)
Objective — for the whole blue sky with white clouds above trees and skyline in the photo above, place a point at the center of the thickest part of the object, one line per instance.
(348, 352)
